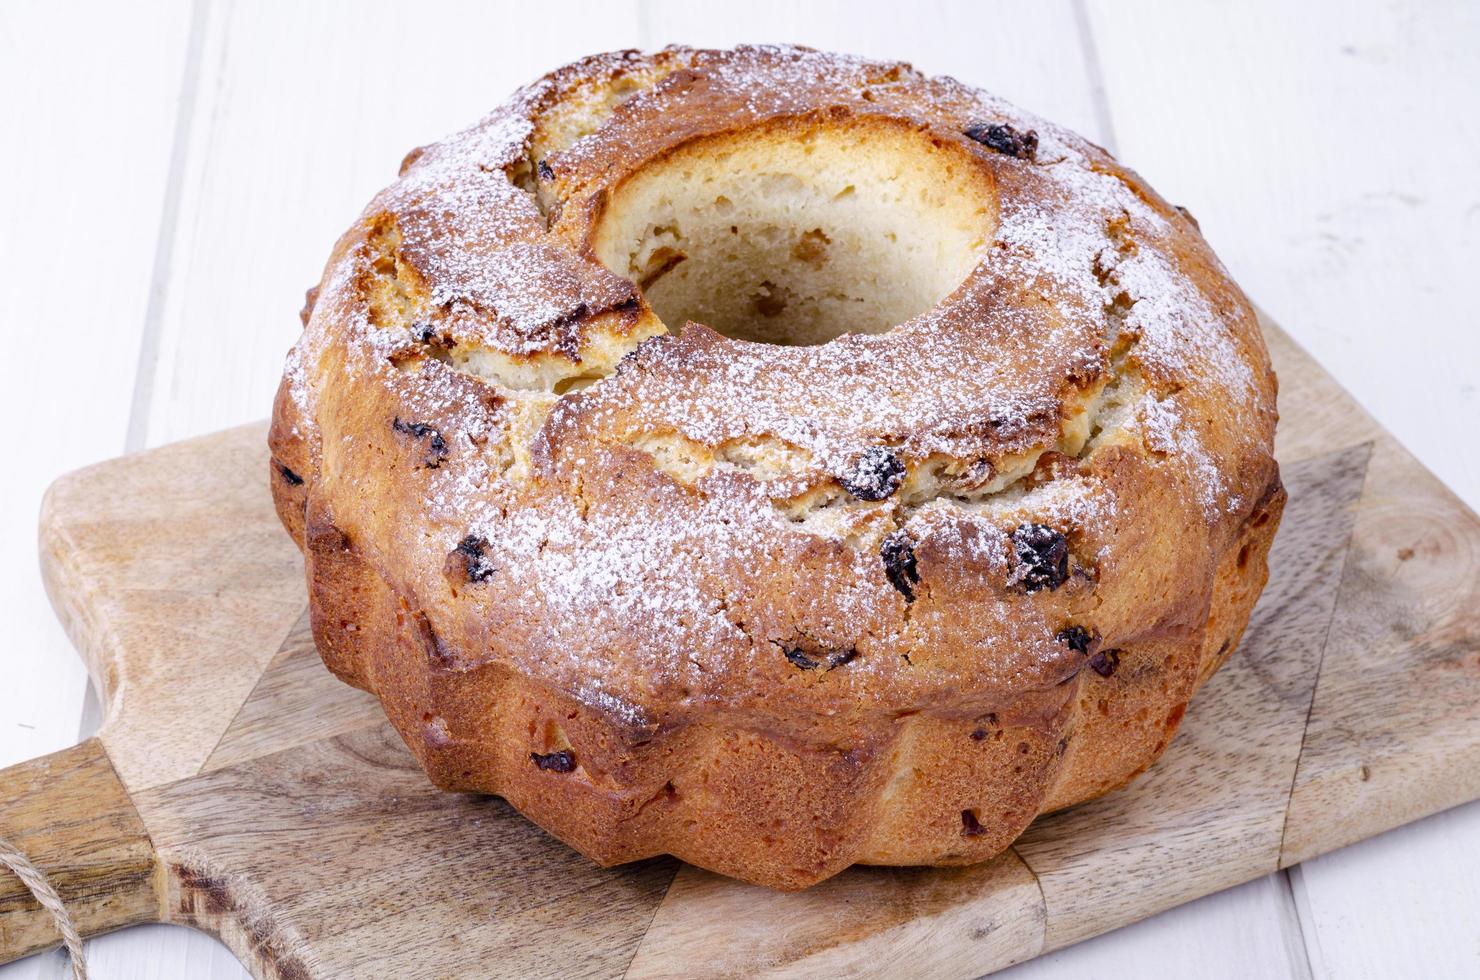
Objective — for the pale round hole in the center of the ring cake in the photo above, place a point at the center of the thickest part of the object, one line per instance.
(798, 235)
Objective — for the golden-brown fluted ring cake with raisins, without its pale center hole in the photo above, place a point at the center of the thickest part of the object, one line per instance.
(652, 657)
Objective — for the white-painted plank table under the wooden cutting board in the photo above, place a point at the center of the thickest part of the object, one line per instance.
(175, 177)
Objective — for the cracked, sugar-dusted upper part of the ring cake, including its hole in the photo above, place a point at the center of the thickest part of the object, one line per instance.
(779, 386)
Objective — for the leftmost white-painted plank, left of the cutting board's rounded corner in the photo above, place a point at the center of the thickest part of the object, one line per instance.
(87, 153)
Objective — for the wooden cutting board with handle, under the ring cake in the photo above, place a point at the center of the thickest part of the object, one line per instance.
(236, 787)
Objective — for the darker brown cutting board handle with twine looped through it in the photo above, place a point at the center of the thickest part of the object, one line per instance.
(70, 815)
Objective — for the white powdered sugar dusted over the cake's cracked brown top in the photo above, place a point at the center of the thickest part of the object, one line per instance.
(636, 588)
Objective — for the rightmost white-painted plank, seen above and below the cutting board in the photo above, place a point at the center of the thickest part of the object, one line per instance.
(1331, 153)
